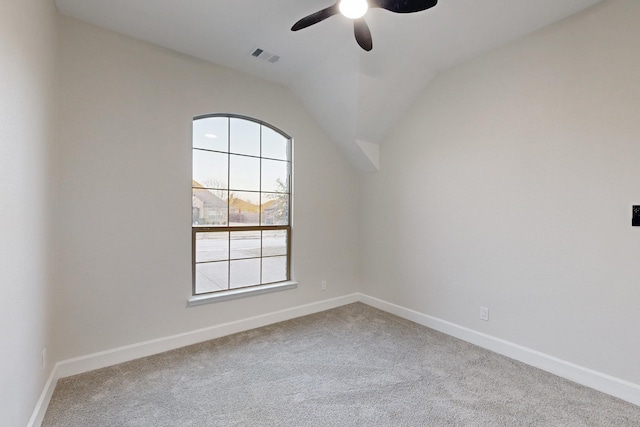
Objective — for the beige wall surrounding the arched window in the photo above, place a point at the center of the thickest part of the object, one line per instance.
(126, 111)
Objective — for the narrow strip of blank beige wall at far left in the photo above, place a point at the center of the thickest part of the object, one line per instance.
(27, 133)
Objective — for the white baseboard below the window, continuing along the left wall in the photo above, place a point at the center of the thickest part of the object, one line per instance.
(114, 356)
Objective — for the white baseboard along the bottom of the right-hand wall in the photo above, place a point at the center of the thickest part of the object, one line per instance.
(613, 386)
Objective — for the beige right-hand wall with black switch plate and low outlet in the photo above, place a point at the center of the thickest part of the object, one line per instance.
(510, 185)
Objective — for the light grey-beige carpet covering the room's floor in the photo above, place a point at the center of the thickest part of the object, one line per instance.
(351, 366)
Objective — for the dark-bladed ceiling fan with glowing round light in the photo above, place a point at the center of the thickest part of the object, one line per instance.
(356, 9)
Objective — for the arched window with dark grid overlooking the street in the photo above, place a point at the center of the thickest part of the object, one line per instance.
(241, 213)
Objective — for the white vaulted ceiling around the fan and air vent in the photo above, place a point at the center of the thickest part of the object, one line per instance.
(355, 96)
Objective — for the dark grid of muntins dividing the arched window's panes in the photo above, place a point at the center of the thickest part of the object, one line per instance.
(197, 228)
